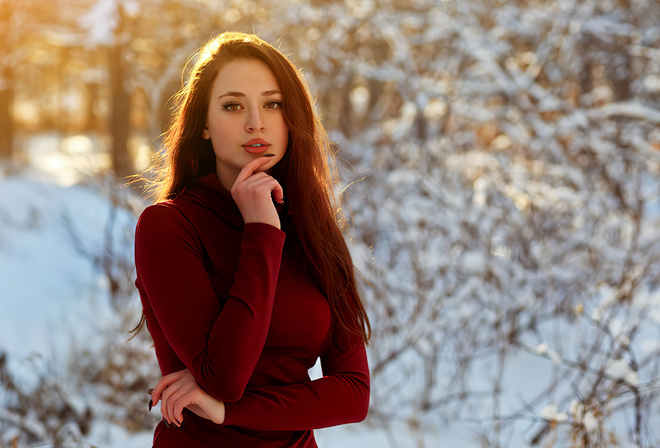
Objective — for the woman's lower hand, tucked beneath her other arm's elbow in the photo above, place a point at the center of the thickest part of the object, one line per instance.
(180, 390)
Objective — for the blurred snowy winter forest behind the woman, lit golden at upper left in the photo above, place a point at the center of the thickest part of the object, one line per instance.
(500, 171)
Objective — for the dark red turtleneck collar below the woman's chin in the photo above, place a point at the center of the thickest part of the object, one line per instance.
(210, 193)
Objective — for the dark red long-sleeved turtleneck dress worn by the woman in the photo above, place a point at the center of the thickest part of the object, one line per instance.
(231, 302)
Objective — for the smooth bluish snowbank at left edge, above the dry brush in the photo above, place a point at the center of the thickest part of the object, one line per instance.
(48, 289)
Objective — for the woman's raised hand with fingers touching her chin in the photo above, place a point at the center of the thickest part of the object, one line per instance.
(252, 192)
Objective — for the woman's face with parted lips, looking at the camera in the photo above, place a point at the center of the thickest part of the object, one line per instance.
(245, 119)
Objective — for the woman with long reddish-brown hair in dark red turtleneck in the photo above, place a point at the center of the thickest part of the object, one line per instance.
(244, 276)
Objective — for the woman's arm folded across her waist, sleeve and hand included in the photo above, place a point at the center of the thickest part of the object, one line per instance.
(340, 397)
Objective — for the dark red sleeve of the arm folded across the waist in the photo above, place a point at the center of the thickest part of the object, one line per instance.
(340, 397)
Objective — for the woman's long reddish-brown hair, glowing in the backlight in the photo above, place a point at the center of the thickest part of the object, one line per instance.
(304, 172)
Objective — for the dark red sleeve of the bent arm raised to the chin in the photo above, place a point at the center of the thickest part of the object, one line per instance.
(219, 344)
